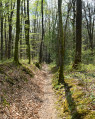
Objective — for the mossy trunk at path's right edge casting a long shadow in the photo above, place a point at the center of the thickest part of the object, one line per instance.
(61, 43)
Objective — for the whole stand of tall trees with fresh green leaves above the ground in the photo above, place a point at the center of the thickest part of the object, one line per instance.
(47, 31)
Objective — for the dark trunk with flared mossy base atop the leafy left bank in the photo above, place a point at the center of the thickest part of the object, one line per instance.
(16, 58)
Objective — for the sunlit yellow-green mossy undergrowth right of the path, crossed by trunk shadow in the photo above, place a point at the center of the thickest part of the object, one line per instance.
(77, 100)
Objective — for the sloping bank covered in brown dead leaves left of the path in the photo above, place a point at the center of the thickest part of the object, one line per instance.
(20, 91)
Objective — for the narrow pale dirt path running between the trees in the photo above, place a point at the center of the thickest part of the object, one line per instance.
(48, 109)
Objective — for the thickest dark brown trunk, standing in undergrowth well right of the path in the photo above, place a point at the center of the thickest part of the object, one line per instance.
(78, 33)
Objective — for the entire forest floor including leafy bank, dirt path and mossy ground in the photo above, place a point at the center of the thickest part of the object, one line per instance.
(27, 92)
